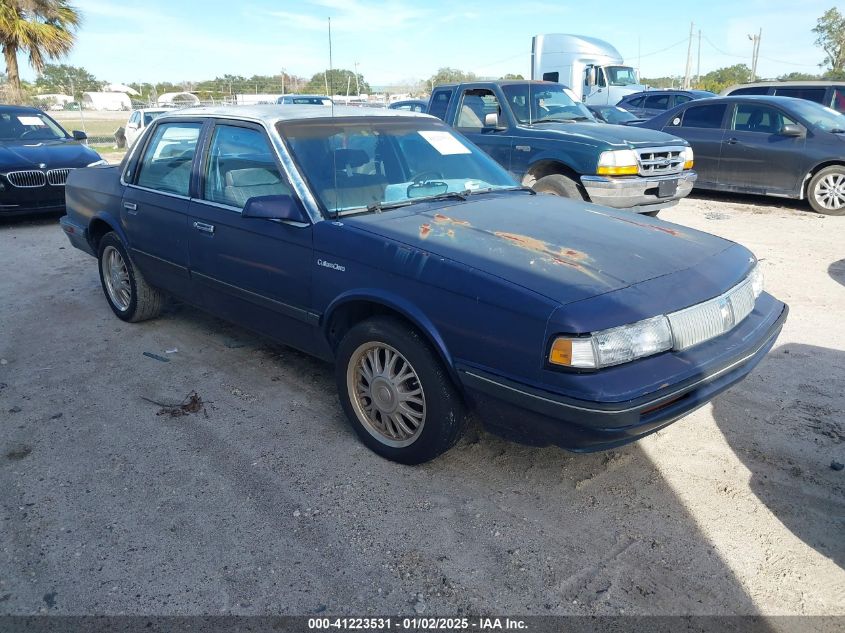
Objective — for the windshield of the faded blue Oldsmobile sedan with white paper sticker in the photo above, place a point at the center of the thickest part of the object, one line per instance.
(357, 163)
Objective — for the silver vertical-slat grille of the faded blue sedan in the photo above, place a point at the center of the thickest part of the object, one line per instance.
(712, 318)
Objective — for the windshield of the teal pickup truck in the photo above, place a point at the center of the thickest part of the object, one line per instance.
(531, 103)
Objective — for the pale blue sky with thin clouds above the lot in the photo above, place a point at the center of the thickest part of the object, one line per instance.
(400, 42)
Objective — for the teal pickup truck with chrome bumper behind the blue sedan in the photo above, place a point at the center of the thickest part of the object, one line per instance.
(548, 140)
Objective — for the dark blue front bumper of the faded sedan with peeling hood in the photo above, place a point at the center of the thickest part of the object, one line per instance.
(539, 417)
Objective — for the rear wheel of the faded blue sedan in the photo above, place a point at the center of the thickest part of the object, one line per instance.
(131, 298)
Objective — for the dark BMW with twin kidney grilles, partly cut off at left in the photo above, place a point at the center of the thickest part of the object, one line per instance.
(36, 156)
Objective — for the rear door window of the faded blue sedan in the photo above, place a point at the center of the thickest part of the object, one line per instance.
(166, 164)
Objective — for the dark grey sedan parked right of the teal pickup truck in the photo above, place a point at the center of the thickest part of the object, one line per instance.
(777, 146)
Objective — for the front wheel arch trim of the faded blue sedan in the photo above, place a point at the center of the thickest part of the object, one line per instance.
(353, 307)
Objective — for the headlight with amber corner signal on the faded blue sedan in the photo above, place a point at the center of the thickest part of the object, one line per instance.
(614, 346)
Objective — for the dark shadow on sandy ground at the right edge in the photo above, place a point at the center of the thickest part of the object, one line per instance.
(789, 450)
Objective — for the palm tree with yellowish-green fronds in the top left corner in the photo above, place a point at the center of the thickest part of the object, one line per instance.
(42, 28)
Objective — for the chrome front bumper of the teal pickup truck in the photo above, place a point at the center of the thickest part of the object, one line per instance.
(638, 193)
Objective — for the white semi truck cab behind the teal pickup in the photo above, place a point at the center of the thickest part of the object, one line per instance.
(592, 68)
